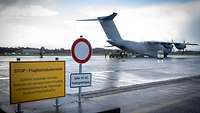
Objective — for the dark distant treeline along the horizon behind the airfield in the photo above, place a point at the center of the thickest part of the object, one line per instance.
(96, 51)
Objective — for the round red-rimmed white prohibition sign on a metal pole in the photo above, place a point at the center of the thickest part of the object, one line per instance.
(81, 50)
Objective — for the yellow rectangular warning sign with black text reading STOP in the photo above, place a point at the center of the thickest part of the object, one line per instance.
(36, 80)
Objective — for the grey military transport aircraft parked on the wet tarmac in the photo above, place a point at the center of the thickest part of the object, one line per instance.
(147, 48)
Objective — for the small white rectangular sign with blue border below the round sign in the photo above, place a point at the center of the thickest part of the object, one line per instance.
(80, 80)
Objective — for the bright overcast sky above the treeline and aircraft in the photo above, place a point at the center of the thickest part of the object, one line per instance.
(52, 23)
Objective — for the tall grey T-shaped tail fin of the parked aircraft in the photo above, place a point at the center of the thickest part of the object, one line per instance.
(108, 26)
